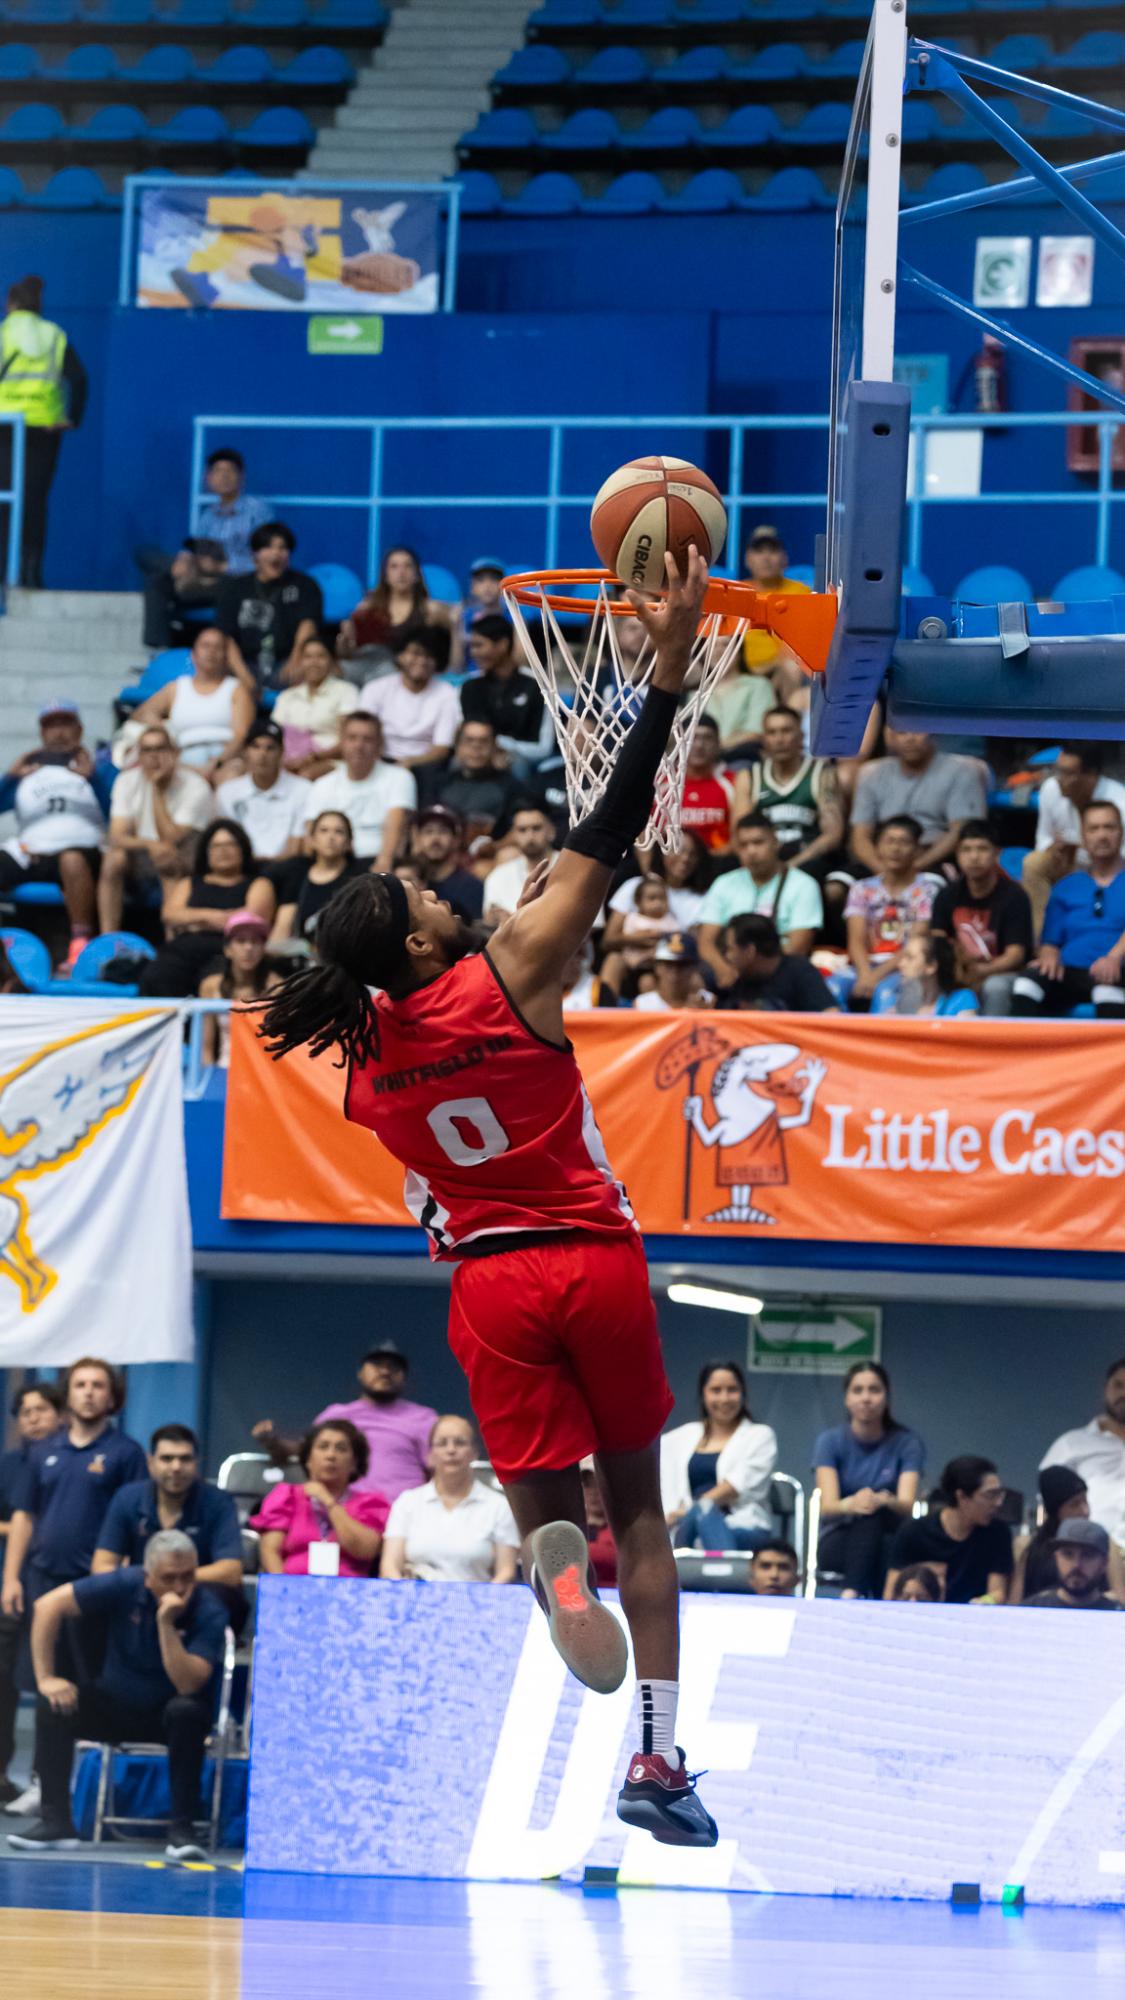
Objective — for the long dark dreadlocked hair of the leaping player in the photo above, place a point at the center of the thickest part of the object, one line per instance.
(359, 945)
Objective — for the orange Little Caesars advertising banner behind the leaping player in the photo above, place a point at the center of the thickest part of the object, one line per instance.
(764, 1125)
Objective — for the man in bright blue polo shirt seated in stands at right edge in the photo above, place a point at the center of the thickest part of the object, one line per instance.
(1082, 951)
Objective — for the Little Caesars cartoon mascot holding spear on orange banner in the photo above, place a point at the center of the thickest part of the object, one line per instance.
(750, 1123)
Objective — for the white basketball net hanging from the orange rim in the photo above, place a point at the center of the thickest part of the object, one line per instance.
(594, 683)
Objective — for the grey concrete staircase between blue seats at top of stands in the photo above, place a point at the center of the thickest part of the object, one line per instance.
(421, 91)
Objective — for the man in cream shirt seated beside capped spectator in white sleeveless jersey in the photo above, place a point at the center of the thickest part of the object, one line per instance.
(157, 813)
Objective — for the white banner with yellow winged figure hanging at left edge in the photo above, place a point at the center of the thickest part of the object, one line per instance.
(95, 1229)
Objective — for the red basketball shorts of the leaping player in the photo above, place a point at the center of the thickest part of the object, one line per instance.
(561, 1351)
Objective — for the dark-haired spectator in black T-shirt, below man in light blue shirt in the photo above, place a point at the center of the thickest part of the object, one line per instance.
(269, 613)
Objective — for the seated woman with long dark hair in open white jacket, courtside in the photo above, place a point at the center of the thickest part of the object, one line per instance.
(716, 1471)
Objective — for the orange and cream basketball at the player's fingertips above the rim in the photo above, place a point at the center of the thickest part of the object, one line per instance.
(654, 505)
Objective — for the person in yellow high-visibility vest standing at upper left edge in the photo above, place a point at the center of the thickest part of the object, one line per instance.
(43, 379)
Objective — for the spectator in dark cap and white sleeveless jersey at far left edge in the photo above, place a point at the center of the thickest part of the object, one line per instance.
(61, 821)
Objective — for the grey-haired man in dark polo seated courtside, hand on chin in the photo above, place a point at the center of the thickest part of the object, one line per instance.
(165, 1641)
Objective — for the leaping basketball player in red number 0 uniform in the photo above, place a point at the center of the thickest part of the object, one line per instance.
(459, 1063)
